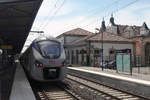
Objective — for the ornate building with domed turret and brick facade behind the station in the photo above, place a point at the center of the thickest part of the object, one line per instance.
(139, 34)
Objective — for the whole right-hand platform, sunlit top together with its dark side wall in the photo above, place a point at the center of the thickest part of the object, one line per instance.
(139, 84)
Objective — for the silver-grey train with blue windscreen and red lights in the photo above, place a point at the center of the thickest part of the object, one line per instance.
(44, 60)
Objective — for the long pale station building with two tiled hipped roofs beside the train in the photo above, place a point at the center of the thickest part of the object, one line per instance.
(86, 49)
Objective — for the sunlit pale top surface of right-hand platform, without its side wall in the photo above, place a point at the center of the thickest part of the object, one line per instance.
(137, 77)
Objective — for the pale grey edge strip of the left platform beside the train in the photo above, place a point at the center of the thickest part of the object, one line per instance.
(21, 89)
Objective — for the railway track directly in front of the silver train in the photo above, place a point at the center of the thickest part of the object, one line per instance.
(56, 92)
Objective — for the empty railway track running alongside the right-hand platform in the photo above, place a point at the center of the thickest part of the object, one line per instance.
(100, 90)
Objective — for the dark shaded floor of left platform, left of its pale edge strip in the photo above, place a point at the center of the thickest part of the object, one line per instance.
(6, 79)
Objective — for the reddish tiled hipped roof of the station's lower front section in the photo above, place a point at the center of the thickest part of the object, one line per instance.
(109, 37)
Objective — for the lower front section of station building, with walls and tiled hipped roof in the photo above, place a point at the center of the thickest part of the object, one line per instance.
(87, 51)
